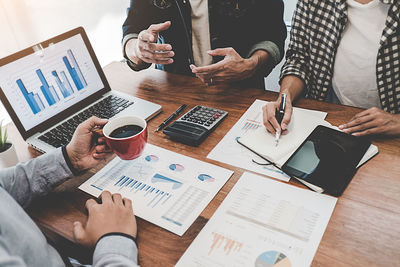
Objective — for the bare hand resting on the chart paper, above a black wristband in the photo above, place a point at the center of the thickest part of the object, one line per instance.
(113, 215)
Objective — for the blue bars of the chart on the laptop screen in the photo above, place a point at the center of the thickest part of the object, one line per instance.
(62, 87)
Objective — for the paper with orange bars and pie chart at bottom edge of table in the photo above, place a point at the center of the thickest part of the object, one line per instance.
(262, 223)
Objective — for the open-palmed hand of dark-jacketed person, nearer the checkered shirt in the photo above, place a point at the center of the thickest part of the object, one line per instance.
(232, 68)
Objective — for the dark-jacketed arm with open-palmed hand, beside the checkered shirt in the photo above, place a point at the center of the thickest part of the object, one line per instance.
(266, 49)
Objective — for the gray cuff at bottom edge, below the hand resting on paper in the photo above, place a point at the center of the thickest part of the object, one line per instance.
(113, 251)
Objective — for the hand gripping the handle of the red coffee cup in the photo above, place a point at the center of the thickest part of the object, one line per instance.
(84, 152)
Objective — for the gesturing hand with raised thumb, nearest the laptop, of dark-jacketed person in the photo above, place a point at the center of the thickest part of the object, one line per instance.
(146, 48)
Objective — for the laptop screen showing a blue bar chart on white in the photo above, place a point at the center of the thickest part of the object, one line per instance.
(42, 84)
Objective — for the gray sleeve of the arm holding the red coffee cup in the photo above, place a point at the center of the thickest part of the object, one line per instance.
(35, 177)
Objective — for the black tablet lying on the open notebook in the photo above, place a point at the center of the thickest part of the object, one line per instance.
(327, 158)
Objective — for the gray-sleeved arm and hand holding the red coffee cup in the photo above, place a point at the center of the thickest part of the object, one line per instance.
(42, 174)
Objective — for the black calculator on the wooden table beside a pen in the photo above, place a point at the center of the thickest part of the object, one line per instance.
(195, 125)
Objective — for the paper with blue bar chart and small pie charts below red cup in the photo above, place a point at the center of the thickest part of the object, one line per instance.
(166, 188)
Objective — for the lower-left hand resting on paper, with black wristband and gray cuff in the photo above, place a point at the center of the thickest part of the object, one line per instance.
(111, 230)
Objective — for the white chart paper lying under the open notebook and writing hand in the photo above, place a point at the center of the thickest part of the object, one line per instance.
(231, 152)
